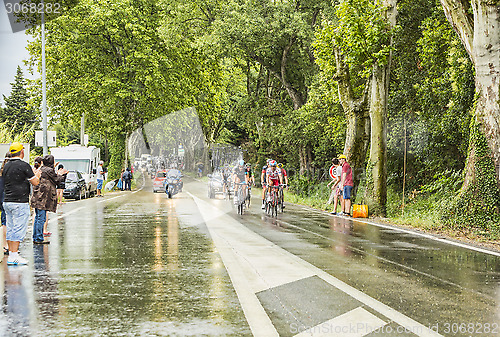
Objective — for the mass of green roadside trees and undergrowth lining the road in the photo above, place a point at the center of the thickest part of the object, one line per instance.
(389, 84)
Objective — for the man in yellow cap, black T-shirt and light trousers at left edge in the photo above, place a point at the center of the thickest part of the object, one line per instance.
(18, 175)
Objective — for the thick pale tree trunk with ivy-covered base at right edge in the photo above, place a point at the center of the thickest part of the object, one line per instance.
(477, 23)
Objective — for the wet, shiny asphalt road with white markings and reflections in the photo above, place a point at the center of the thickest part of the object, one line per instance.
(137, 263)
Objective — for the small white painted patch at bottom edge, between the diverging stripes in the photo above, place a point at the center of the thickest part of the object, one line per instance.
(355, 323)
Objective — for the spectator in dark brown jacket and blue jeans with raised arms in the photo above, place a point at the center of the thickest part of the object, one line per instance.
(45, 197)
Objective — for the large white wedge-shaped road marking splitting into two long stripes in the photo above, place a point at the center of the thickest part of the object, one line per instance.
(254, 263)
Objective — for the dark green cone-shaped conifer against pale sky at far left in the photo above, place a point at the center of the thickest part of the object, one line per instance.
(17, 113)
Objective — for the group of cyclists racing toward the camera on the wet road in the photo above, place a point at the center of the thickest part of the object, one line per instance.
(273, 174)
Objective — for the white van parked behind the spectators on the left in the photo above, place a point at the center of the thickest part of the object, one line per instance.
(80, 158)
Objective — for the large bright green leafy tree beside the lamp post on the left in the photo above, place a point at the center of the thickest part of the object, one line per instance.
(110, 62)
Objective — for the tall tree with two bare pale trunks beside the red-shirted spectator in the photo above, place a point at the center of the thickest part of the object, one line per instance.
(358, 40)
